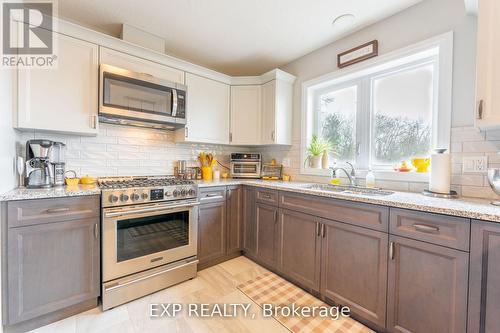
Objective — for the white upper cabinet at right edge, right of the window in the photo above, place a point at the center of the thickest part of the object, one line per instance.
(488, 66)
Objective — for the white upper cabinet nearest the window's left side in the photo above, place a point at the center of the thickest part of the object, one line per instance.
(277, 112)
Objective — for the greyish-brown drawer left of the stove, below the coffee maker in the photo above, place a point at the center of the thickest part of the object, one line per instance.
(31, 212)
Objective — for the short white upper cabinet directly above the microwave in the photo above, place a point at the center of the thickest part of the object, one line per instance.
(139, 65)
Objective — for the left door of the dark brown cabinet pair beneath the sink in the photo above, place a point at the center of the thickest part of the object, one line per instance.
(299, 248)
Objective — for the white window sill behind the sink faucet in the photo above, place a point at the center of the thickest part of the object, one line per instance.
(415, 177)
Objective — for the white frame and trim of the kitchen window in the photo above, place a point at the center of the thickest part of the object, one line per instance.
(439, 48)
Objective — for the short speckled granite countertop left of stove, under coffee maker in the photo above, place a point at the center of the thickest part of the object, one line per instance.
(54, 192)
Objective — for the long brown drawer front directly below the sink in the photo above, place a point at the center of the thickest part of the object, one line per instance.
(364, 215)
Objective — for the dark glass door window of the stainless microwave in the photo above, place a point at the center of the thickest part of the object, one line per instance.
(136, 95)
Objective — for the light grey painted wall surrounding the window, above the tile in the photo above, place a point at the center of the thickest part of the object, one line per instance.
(422, 21)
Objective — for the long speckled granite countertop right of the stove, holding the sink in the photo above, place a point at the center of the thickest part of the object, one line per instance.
(464, 207)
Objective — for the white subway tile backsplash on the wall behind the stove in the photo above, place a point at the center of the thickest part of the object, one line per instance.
(119, 150)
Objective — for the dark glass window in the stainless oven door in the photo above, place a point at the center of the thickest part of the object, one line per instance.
(142, 236)
